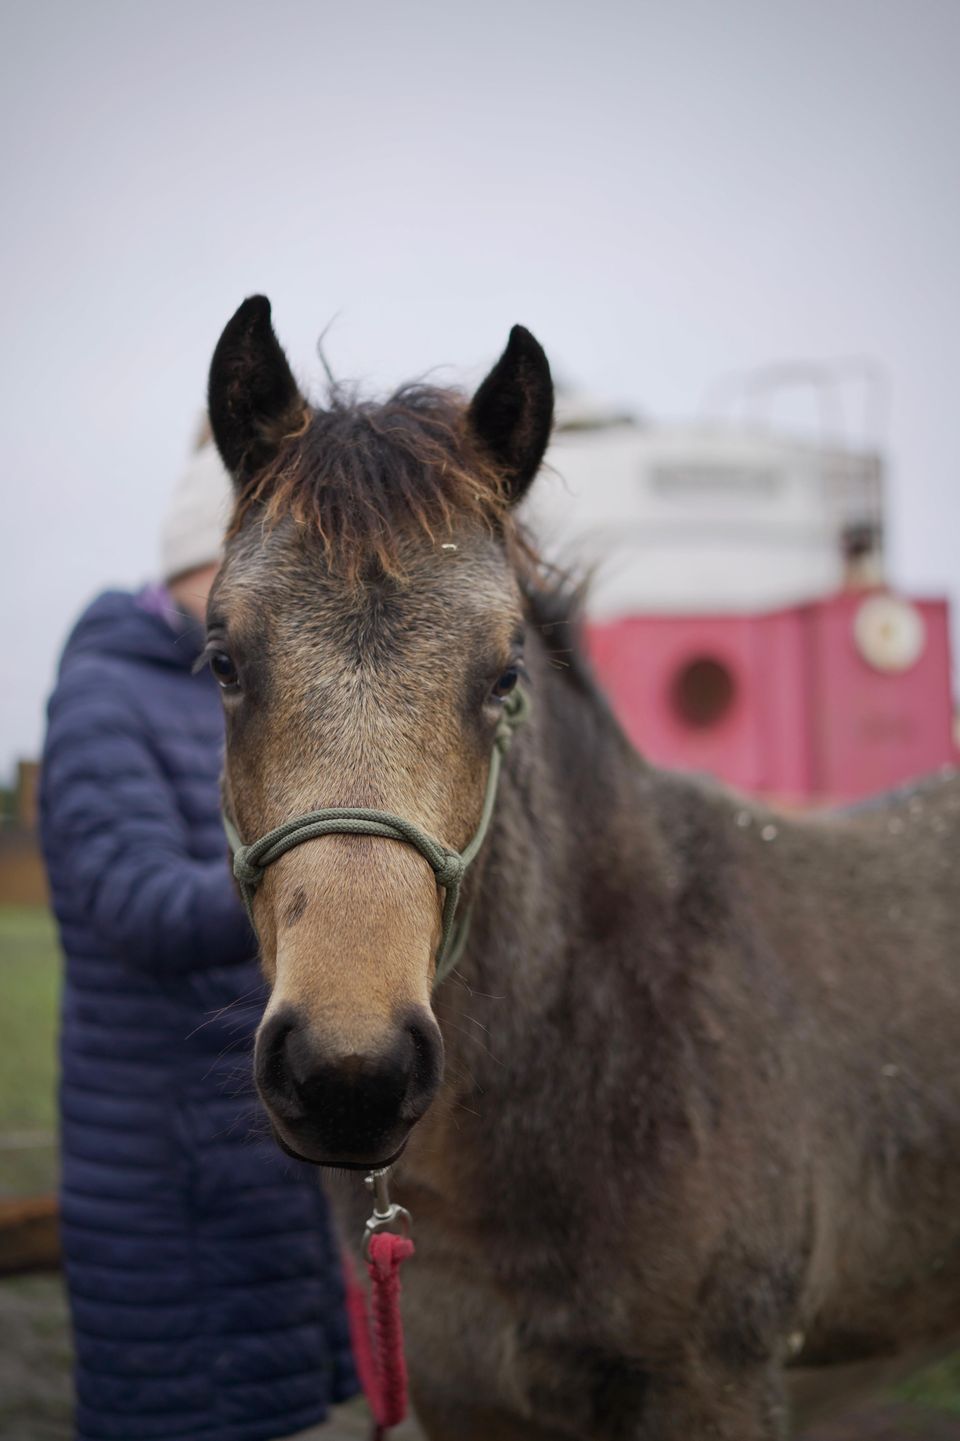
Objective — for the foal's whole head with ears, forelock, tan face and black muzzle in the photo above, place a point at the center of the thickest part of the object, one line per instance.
(365, 630)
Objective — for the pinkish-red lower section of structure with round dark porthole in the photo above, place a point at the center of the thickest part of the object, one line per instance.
(828, 701)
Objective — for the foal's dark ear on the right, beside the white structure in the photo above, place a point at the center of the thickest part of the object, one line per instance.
(512, 413)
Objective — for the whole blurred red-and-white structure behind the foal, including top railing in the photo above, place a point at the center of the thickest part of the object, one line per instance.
(740, 613)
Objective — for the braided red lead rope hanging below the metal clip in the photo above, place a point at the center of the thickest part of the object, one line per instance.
(380, 1357)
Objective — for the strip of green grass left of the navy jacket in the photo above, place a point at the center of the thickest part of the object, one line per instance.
(30, 992)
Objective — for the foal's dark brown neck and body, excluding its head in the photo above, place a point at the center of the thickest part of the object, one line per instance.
(763, 1014)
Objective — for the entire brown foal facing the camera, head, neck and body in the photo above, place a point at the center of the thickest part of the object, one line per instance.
(701, 1103)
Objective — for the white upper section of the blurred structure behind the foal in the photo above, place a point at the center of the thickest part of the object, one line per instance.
(703, 518)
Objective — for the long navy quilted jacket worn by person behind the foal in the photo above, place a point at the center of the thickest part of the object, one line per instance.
(205, 1293)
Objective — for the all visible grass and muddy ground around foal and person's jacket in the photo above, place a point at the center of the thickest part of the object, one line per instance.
(35, 1357)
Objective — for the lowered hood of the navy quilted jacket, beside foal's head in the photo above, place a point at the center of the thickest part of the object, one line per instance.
(123, 625)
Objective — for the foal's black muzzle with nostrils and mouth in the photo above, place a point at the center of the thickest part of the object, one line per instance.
(338, 1109)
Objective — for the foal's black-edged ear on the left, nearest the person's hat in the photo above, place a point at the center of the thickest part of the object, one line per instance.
(253, 398)
